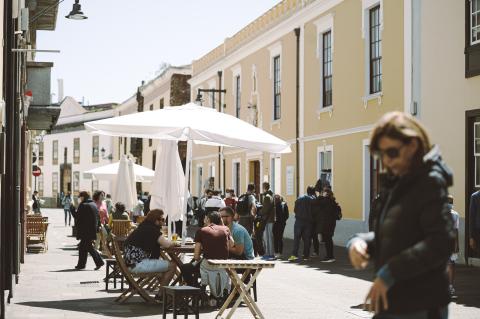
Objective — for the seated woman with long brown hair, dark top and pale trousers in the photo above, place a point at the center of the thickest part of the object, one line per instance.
(142, 248)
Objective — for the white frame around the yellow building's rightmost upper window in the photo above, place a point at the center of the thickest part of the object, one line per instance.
(366, 6)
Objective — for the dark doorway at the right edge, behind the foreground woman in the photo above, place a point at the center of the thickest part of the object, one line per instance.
(472, 170)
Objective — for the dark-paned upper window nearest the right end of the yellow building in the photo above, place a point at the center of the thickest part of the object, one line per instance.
(375, 48)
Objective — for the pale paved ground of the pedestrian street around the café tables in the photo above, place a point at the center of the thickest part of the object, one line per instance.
(50, 288)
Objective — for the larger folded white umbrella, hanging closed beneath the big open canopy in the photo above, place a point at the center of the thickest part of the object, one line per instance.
(168, 186)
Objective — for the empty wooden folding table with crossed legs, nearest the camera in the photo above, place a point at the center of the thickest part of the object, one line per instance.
(241, 287)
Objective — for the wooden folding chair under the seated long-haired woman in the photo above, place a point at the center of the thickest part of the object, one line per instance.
(137, 282)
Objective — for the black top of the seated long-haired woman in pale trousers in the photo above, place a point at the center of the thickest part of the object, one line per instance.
(146, 237)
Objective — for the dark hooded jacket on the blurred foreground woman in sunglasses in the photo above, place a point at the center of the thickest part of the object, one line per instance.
(414, 237)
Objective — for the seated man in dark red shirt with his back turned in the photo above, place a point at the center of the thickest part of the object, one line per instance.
(213, 241)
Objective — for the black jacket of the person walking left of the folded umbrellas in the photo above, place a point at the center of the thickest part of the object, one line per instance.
(86, 219)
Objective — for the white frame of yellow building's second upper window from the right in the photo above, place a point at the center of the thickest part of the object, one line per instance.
(323, 25)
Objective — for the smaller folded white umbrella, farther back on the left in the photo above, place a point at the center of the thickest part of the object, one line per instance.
(125, 188)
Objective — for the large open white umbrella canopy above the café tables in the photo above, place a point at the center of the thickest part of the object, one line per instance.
(191, 122)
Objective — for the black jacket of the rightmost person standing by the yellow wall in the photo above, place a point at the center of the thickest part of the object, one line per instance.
(325, 211)
